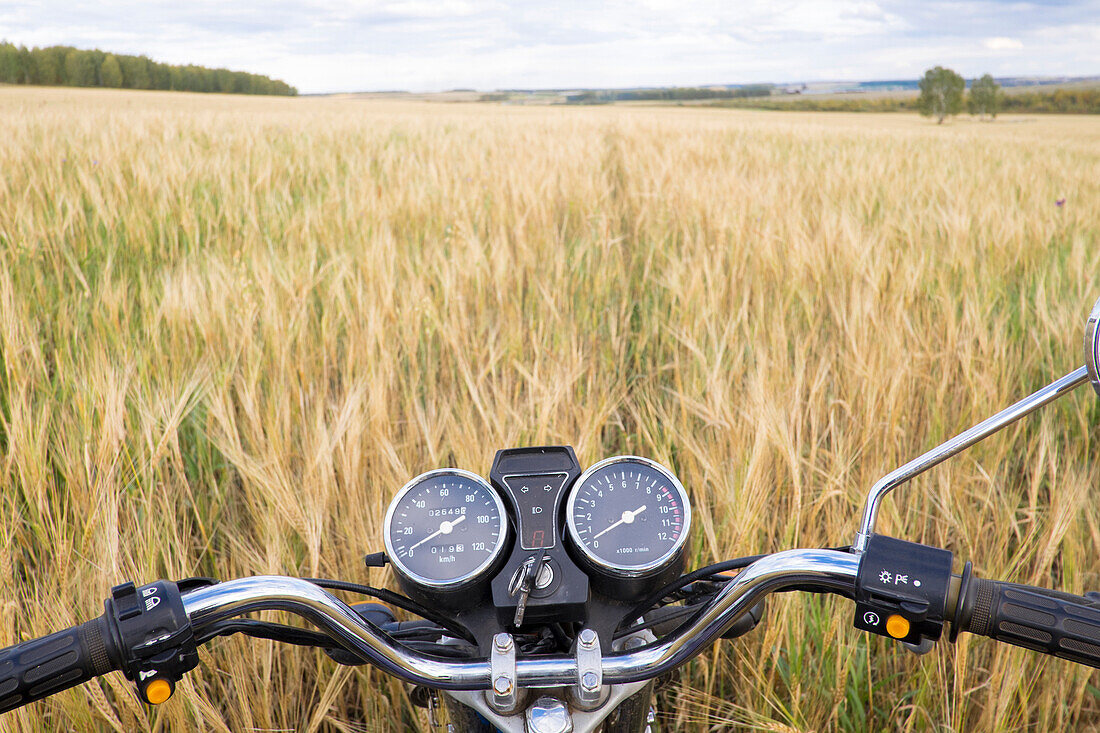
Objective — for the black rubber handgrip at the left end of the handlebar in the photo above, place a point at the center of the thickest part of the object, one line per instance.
(41, 668)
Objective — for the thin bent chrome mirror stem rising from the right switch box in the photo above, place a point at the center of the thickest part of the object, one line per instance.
(959, 444)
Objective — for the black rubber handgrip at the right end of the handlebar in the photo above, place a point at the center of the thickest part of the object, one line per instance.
(1061, 625)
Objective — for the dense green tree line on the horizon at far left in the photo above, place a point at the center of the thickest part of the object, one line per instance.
(75, 68)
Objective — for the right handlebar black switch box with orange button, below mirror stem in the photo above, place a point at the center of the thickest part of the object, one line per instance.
(901, 592)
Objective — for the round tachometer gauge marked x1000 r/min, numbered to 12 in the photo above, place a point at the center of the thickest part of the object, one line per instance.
(629, 516)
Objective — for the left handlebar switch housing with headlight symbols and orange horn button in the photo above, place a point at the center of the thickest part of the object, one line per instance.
(153, 637)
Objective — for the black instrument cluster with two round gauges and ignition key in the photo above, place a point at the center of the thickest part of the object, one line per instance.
(542, 541)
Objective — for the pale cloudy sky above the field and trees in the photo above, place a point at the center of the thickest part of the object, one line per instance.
(331, 46)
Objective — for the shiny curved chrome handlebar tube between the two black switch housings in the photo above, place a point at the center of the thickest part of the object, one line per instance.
(821, 570)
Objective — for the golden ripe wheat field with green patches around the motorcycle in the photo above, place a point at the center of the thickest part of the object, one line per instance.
(233, 329)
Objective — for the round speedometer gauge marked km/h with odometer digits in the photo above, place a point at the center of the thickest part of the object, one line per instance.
(445, 529)
